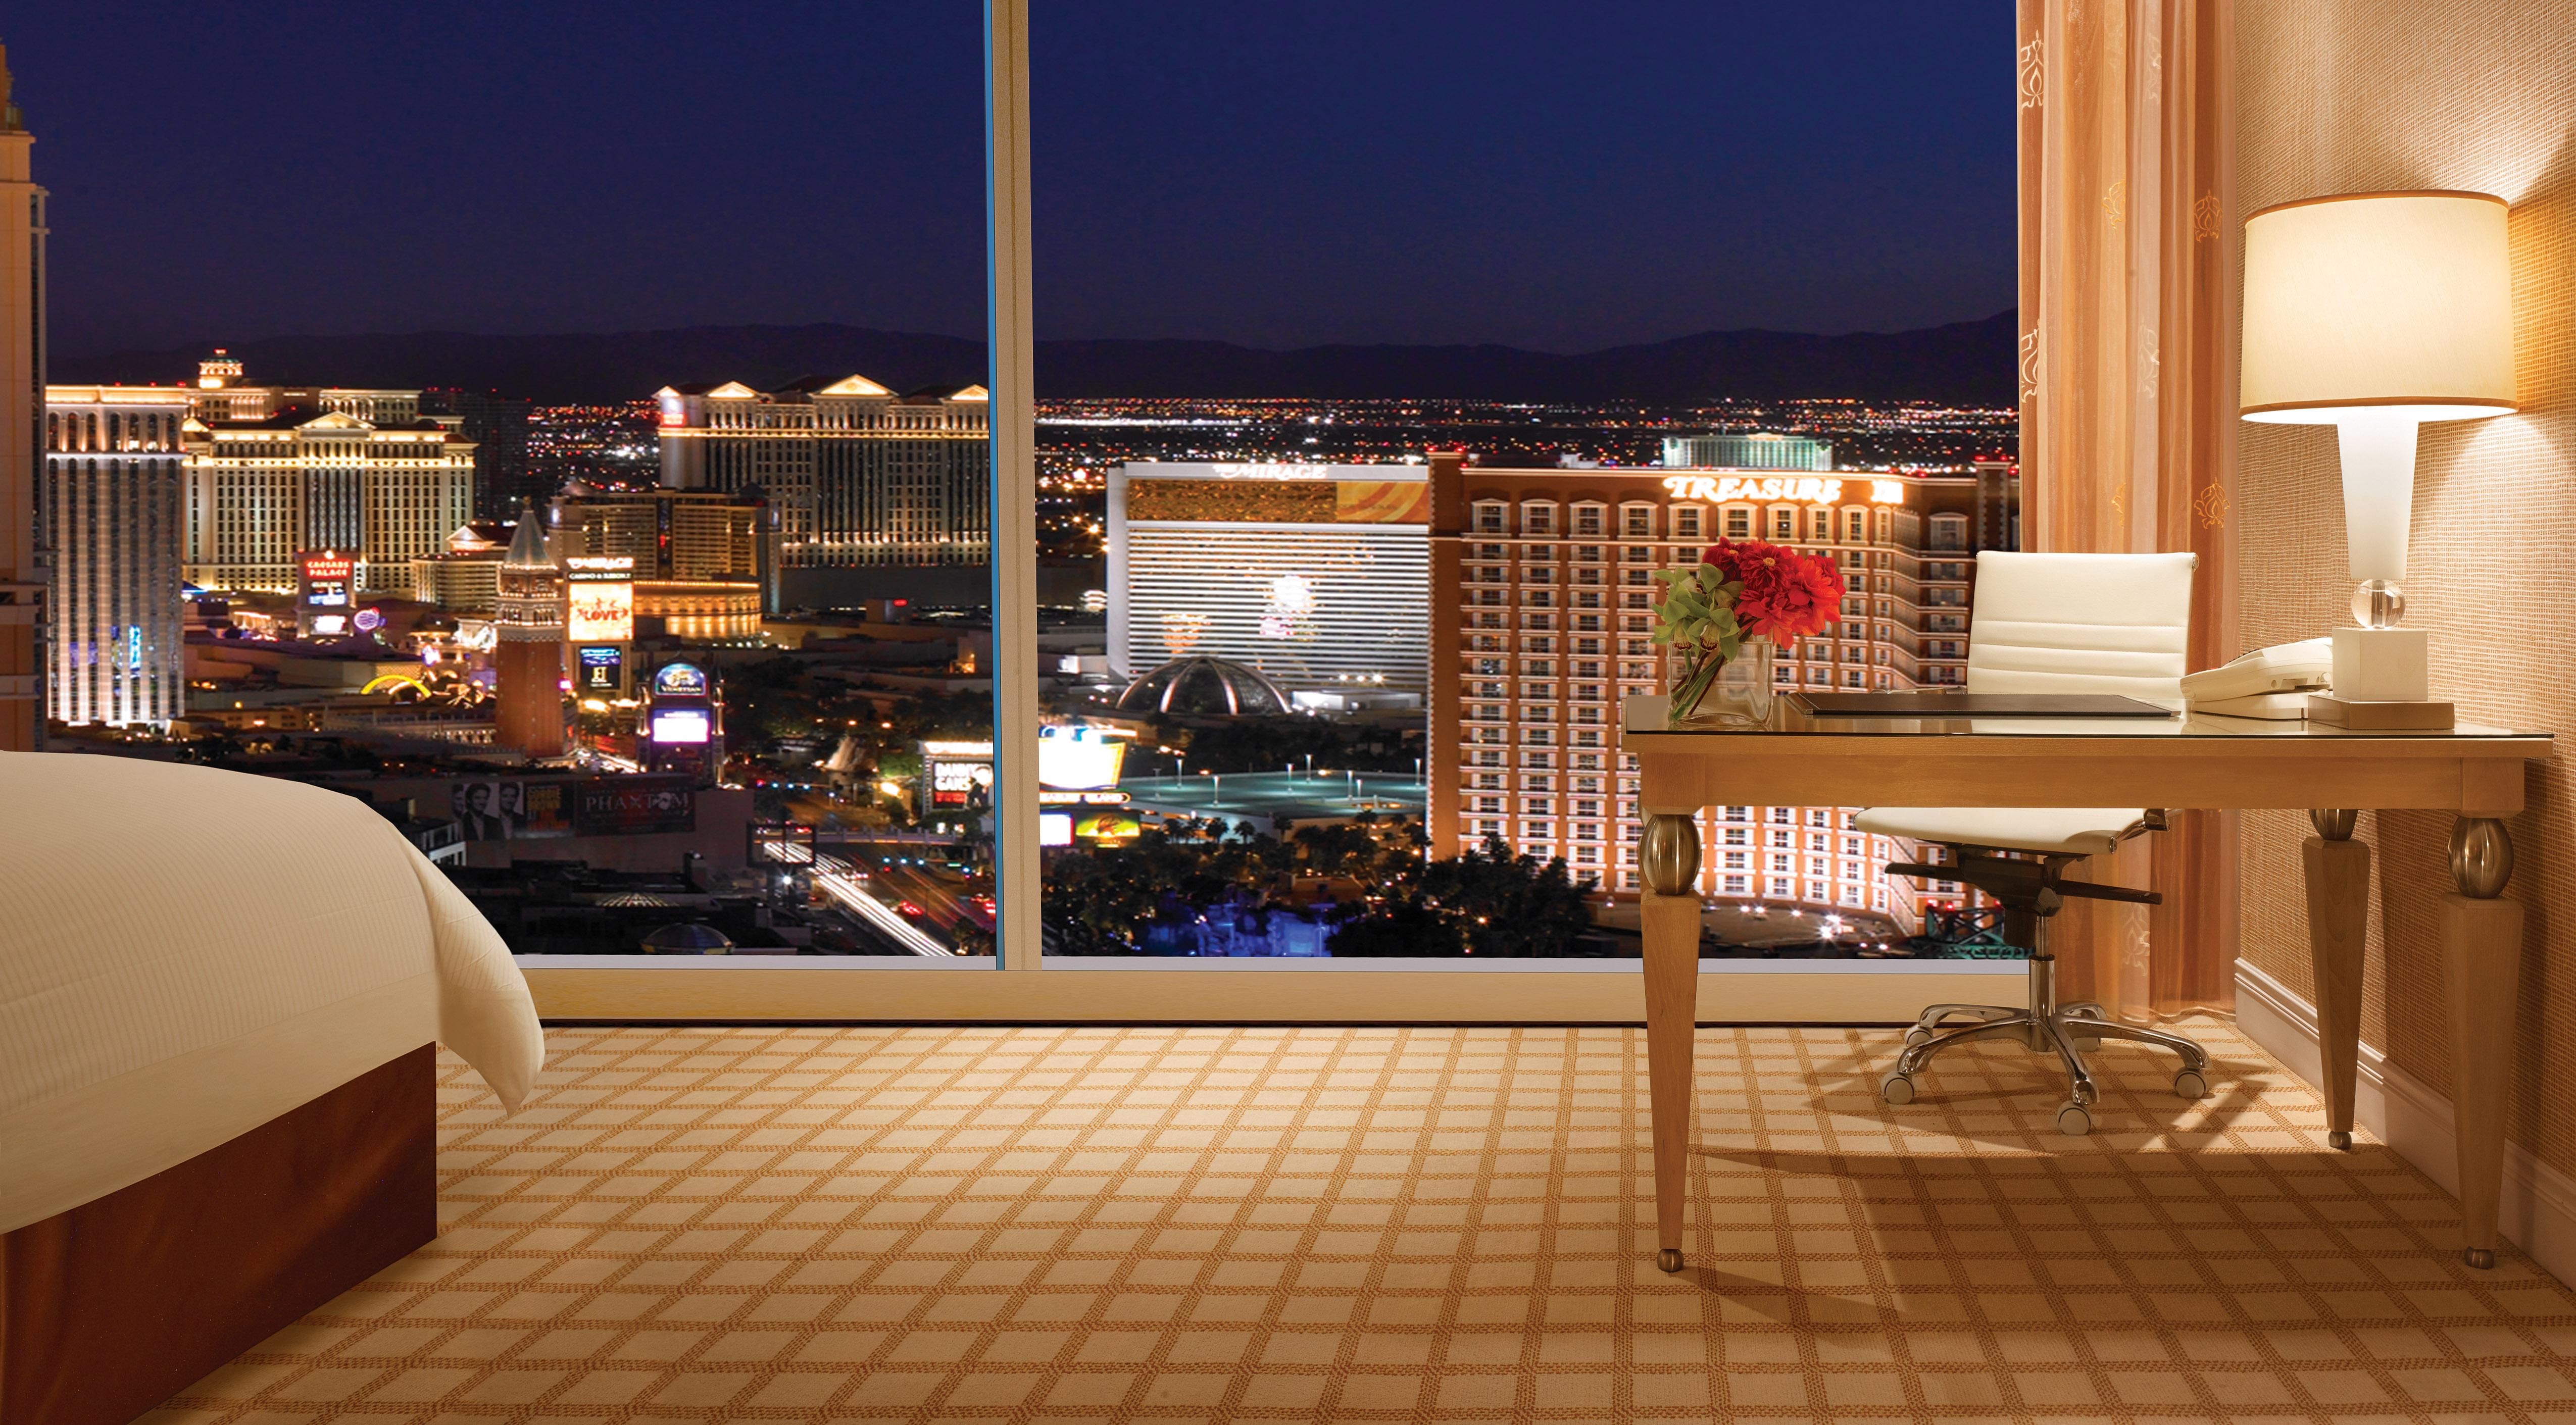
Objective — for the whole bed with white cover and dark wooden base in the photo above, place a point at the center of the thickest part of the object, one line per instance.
(218, 1109)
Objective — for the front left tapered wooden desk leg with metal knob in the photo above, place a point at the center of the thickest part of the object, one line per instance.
(1671, 924)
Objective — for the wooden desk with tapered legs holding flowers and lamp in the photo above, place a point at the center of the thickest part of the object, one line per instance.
(2178, 764)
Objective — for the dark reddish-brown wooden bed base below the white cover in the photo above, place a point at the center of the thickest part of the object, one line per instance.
(122, 1303)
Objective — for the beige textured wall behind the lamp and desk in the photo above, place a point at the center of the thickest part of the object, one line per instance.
(2340, 97)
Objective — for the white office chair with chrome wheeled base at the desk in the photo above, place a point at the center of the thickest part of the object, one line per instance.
(2052, 625)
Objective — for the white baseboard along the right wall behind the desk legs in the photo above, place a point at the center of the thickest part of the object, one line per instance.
(2539, 1210)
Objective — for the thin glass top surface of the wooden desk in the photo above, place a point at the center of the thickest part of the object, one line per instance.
(1645, 715)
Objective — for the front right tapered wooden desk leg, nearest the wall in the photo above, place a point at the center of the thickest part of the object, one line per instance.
(2482, 973)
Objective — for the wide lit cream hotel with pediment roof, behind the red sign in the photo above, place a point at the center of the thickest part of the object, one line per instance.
(274, 470)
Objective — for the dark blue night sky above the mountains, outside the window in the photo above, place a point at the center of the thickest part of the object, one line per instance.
(1279, 174)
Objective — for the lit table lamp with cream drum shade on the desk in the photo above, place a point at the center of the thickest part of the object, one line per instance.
(2376, 313)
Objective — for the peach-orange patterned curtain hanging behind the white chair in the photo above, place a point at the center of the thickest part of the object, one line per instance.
(2126, 419)
